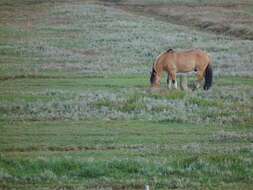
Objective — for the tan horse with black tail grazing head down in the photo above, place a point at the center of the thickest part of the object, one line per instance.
(182, 62)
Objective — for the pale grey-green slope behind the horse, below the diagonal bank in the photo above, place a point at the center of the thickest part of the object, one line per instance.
(87, 39)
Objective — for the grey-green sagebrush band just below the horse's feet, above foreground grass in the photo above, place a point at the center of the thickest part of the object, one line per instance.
(218, 106)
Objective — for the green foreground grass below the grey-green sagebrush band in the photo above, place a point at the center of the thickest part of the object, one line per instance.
(131, 153)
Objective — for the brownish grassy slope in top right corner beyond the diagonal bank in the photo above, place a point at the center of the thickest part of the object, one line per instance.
(233, 18)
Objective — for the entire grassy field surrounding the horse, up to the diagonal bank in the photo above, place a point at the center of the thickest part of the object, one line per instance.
(76, 111)
